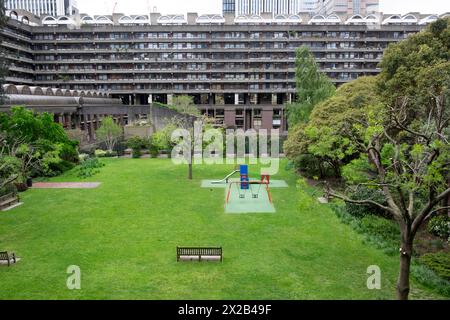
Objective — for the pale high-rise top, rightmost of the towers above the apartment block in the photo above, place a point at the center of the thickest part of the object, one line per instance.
(362, 7)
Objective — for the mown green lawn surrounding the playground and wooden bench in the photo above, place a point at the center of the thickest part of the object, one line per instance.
(123, 236)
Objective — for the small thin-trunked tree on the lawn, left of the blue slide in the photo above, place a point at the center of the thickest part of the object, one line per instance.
(185, 105)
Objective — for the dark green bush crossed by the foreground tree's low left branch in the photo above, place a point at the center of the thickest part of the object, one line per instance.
(363, 193)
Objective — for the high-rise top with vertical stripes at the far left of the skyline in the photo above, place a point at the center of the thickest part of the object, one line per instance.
(44, 7)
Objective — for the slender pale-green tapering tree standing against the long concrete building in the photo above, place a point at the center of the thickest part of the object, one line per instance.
(312, 87)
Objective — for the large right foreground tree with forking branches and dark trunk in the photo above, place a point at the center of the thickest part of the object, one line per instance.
(406, 146)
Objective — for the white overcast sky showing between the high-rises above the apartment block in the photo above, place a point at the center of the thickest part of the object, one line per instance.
(214, 6)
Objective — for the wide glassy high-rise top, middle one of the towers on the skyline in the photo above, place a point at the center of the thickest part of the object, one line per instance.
(274, 7)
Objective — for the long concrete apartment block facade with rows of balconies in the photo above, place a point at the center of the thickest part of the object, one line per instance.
(240, 71)
